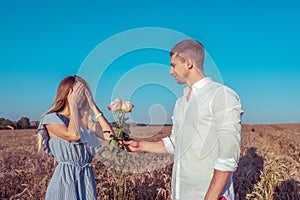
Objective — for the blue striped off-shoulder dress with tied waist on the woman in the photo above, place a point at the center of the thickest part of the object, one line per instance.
(73, 177)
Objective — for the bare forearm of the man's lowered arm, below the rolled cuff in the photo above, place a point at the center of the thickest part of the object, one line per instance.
(217, 184)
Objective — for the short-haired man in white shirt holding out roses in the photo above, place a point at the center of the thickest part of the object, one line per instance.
(206, 132)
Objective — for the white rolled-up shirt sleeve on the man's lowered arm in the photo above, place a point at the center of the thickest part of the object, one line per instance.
(228, 112)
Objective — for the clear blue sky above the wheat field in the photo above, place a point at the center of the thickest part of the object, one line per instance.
(253, 44)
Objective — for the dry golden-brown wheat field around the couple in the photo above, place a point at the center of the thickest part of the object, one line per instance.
(269, 166)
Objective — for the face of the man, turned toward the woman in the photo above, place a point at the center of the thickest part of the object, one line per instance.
(178, 69)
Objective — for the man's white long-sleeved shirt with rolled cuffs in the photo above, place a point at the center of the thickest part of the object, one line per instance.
(205, 136)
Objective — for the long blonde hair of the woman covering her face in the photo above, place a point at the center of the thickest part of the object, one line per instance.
(61, 101)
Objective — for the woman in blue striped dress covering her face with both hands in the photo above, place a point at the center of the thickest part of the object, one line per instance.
(68, 131)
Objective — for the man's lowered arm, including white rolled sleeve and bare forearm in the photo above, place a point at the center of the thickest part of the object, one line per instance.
(227, 114)
